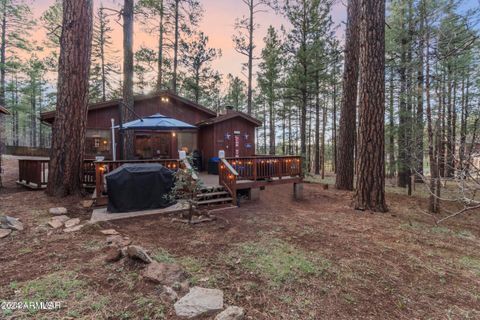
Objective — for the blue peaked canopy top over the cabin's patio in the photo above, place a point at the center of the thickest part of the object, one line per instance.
(157, 122)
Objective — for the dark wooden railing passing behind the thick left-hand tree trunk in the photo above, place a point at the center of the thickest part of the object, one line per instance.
(33, 173)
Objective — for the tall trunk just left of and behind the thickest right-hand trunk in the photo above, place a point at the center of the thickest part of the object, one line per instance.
(346, 143)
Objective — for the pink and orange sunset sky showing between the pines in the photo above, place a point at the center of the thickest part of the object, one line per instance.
(218, 23)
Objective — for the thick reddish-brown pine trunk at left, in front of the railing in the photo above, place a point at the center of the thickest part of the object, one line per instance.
(68, 132)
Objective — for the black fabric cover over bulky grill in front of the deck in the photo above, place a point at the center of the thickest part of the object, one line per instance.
(135, 187)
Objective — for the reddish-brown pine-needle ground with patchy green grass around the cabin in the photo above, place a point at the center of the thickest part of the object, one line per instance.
(276, 257)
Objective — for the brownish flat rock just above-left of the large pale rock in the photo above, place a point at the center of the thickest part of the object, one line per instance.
(164, 273)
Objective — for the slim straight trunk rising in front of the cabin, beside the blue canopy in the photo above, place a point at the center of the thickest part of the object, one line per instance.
(128, 102)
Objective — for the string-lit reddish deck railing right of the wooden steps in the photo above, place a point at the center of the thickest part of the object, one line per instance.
(232, 170)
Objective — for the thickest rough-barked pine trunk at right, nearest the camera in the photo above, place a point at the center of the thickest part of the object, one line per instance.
(370, 186)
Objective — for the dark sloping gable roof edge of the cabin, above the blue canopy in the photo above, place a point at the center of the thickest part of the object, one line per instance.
(50, 115)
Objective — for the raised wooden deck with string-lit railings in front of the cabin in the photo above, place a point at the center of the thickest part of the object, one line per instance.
(234, 173)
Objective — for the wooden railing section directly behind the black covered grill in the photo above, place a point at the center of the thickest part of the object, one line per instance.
(104, 167)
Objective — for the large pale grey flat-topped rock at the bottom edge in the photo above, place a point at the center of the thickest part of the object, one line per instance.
(199, 301)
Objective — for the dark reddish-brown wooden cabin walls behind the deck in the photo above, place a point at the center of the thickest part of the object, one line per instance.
(233, 131)
